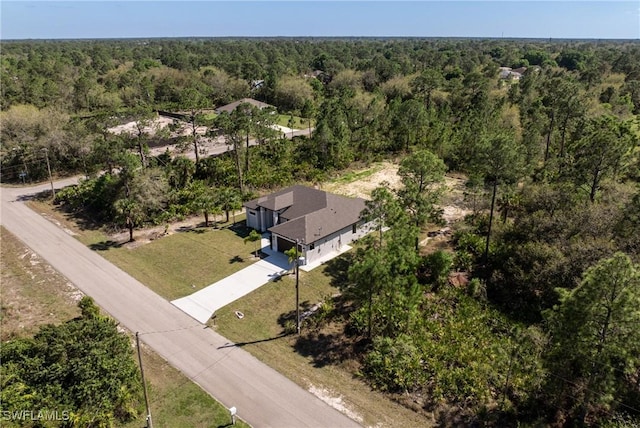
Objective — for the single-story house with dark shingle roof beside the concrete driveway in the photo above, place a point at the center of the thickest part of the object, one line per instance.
(318, 221)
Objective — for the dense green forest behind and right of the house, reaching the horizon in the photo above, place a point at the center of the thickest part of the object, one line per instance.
(546, 134)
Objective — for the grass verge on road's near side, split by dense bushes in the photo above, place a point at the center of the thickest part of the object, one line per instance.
(34, 294)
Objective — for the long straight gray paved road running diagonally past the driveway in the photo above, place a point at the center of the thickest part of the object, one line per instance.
(263, 397)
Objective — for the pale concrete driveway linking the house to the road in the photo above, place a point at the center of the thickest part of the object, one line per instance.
(203, 303)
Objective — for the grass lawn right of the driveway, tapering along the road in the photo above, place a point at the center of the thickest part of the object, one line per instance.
(304, 359)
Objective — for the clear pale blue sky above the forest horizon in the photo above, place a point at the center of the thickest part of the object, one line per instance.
(546, 19)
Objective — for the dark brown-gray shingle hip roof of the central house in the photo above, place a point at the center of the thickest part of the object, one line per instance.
(312, 214)
